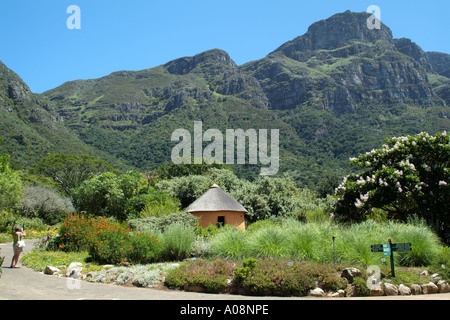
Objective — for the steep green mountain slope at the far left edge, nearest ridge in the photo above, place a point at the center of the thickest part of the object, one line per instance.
(30, 126)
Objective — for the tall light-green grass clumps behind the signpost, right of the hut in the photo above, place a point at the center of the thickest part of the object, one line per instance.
(313, 242)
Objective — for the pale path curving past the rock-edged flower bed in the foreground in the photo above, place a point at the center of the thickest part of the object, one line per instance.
(26, 284)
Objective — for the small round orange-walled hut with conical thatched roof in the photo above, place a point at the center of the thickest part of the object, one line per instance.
(216, 207)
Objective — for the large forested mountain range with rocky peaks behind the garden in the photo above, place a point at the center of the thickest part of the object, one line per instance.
(334, 92)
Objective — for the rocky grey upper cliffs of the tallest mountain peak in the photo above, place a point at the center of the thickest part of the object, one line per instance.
(342, 65)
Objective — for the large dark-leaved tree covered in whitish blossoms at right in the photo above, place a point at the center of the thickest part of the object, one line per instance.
(407, 176)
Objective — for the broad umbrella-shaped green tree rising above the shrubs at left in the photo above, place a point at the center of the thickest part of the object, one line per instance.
(69, 171)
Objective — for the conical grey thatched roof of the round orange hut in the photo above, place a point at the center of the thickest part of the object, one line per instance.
(215, 199)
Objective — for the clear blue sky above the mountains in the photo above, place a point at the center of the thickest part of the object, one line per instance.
(139, 34)
